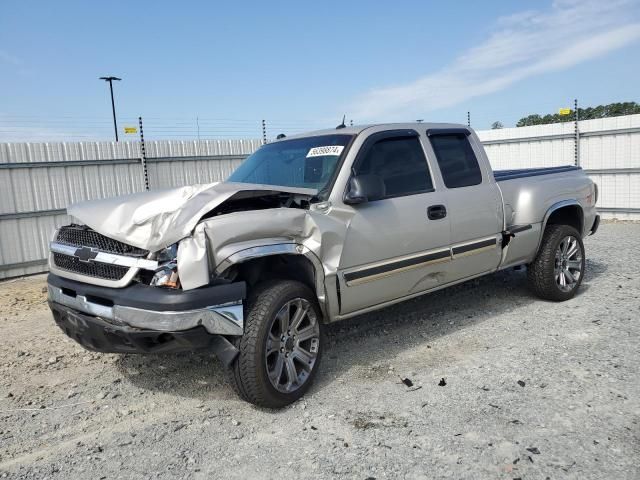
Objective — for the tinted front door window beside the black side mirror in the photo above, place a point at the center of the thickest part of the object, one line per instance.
(400, 163)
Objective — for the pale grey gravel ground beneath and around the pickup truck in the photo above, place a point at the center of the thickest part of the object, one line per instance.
(533, 390)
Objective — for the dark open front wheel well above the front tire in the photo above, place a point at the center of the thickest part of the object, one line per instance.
(289, 267)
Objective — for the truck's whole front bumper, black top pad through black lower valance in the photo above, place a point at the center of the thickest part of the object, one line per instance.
(136, 319)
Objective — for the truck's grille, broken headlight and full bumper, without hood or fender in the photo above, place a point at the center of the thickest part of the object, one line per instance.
(112, 297)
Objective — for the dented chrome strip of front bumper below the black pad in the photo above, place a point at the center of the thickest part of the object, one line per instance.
(225, 319)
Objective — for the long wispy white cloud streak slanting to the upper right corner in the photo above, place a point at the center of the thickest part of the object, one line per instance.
(522, 45)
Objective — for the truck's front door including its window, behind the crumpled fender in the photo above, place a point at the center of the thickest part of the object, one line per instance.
(397, 245)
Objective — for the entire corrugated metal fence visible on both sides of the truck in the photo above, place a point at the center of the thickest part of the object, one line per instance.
(39, 180)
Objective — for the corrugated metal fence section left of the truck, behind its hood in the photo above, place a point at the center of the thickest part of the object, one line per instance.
(39, 180)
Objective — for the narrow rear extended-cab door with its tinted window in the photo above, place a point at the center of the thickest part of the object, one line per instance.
(473, 202)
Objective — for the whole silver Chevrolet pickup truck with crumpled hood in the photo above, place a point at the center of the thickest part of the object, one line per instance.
(310, 230)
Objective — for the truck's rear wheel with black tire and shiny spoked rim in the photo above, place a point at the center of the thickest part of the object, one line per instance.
(558, 269)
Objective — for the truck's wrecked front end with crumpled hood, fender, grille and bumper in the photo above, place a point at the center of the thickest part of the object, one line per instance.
(147, 273)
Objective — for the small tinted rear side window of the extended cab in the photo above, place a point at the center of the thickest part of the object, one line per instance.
(458, 164)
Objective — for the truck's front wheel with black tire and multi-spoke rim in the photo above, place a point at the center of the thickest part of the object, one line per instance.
(281, 346)
